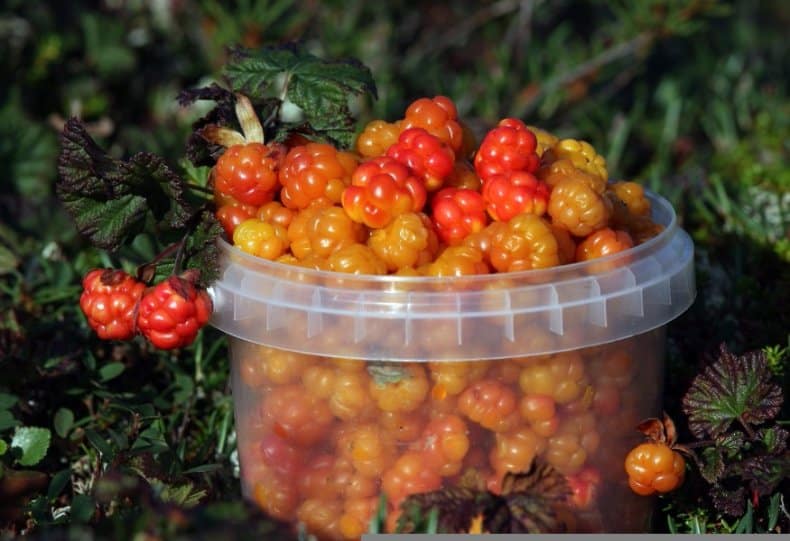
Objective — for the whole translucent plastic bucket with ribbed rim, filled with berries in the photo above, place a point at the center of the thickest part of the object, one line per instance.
(348, 386)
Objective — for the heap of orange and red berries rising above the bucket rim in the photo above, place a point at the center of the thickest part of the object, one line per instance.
(419, 197)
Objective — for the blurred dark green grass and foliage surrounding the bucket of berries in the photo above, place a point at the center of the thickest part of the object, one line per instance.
(688, 97)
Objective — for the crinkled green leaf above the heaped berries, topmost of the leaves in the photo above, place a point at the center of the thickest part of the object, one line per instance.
(320, 88)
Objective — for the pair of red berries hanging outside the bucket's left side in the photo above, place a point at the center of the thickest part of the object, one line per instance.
(169, 315)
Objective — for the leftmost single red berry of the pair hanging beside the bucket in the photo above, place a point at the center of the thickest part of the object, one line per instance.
(109, 300)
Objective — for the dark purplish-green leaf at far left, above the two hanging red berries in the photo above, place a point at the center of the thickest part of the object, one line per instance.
(110, 200)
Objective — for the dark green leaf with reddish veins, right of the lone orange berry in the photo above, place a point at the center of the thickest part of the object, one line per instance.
(734, 388)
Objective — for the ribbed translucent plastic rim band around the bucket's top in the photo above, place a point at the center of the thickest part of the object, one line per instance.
(478, 317)
